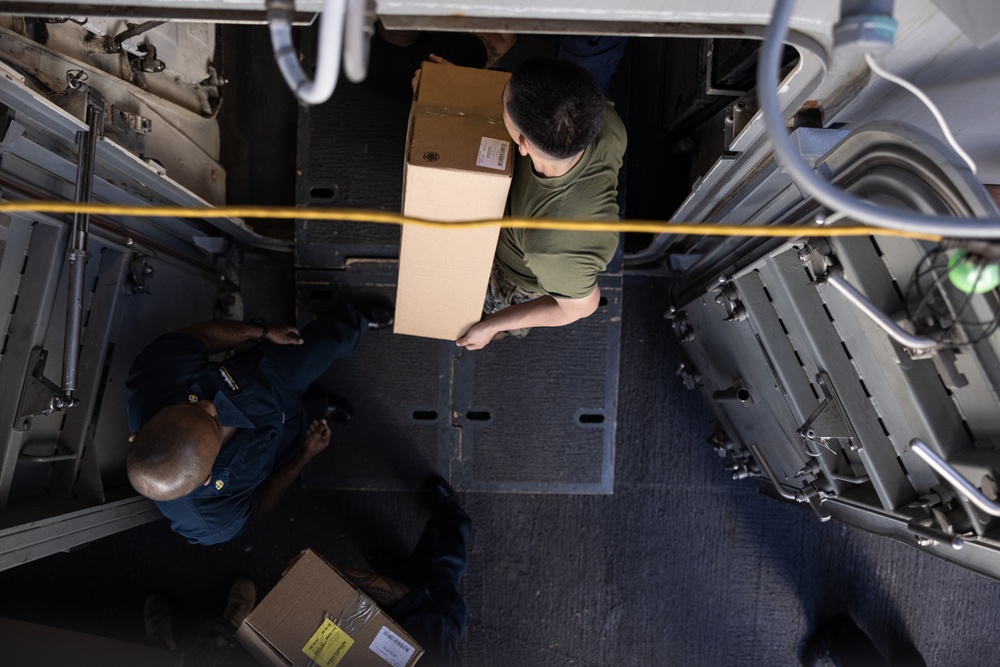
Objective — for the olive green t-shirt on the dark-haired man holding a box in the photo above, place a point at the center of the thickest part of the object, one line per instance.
(565, 263)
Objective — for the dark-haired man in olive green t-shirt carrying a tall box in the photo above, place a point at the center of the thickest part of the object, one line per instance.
(571, 145)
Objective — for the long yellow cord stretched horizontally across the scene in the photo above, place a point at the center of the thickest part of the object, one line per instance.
(382, 217)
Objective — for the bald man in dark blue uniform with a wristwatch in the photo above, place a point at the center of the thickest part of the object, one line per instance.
(216, 445)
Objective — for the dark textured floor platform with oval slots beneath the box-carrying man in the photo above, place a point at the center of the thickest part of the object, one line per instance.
(536, 415)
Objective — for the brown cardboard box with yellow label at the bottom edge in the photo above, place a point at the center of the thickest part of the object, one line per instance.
(314, 616)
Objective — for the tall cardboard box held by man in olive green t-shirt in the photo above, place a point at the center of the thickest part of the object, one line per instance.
(458, 166)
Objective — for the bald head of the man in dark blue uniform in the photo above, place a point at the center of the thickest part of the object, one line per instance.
(173, 453)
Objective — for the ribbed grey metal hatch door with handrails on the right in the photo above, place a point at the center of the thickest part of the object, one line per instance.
(820, 385)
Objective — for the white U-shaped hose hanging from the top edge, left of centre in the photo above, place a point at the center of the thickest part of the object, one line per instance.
(328, 50)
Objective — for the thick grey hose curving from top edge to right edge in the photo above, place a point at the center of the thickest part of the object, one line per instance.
(768, 76)
